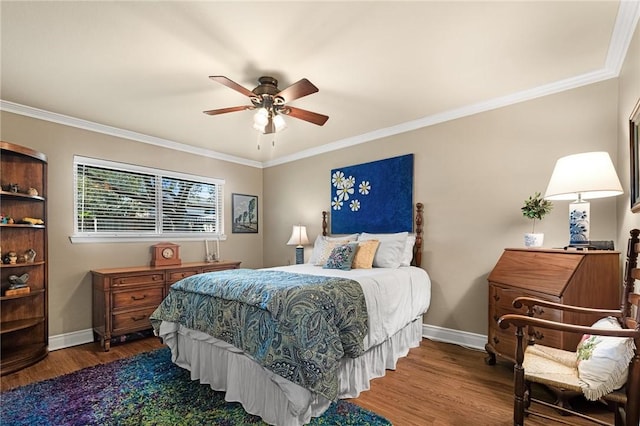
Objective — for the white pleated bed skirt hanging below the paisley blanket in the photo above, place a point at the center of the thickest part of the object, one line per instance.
(277, 400)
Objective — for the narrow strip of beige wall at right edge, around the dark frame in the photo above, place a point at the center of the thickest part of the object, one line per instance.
(628, 96)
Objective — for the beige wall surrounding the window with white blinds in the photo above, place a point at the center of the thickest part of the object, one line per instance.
(69, 264)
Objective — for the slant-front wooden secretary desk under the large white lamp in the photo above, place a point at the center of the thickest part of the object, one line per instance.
(584, 278)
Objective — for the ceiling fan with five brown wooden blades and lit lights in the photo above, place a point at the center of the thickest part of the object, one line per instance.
(271, 103)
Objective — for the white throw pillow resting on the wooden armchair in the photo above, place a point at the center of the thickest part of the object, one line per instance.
(603, 361)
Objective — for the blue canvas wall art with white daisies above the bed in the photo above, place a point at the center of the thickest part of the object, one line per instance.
(375, 197)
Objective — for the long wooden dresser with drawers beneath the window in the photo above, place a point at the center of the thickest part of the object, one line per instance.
(124, 298)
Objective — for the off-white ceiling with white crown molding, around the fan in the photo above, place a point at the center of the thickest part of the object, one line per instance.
(140, 69)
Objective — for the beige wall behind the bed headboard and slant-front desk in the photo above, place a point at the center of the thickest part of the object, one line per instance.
(473, 175)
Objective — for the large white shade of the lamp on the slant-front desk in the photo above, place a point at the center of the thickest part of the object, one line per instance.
(587, 175)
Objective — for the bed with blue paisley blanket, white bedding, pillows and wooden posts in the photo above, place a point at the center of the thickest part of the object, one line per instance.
(287, 341)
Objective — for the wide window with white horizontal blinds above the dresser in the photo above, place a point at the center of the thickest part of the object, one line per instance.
(116, 201)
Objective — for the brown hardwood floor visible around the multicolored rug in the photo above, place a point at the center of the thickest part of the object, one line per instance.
(437, 384)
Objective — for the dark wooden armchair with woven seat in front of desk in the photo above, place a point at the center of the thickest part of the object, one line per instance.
(625, 402)
